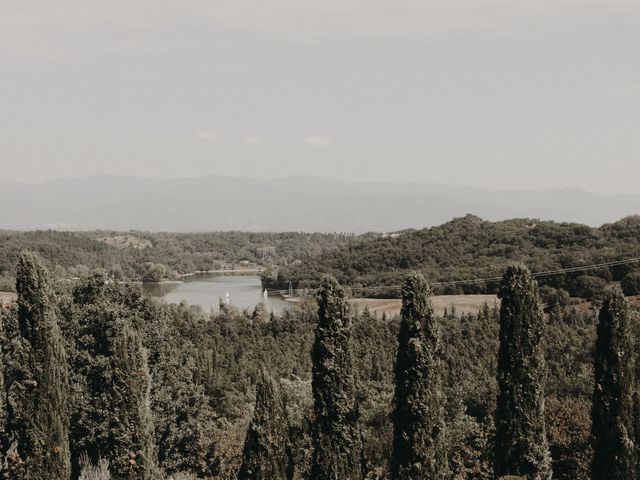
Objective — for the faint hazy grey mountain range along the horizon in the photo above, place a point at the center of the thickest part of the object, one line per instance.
(289, 204)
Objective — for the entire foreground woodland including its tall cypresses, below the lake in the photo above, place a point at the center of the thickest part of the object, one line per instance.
(99, 382)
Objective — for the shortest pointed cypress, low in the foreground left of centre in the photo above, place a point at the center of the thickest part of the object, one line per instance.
(264, 456)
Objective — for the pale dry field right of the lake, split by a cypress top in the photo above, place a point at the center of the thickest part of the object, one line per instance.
(462, 303)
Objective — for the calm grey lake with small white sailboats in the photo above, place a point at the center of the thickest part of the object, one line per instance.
(206, 290)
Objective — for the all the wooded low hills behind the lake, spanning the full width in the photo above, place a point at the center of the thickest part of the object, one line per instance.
(370, 265)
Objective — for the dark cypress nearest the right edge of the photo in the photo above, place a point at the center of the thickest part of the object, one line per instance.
(613, 395)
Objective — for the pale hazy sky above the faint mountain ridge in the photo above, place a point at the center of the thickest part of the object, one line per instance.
(534, 93)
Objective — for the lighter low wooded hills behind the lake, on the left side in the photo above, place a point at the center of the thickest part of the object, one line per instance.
(153, 256)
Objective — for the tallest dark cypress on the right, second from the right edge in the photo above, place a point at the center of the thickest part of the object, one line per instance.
(521, 446)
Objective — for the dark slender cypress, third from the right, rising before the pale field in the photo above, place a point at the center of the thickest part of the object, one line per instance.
(419, 449)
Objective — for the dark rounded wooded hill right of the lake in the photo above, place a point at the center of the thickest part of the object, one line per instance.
(471, 248)
